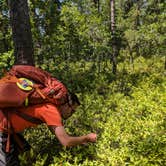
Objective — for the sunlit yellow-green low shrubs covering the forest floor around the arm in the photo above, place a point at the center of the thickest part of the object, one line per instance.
(128, 114)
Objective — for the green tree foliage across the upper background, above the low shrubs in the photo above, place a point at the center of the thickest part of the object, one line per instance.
(78, 30)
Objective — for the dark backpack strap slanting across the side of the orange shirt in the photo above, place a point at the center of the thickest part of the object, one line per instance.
(27, 117)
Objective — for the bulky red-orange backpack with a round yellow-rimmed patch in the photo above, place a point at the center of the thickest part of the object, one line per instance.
(30, 85)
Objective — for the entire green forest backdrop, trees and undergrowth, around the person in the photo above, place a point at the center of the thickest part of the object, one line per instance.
(74, 40)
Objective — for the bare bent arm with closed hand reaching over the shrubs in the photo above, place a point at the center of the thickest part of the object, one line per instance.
(68, 141)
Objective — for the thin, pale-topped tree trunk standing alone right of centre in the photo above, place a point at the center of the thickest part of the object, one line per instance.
(112, 28)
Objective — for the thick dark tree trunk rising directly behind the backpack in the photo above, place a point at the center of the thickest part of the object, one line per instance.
(21, 31)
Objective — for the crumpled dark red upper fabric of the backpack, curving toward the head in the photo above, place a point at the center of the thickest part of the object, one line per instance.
(54, 90)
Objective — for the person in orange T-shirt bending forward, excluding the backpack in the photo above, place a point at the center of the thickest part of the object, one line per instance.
(25, 117)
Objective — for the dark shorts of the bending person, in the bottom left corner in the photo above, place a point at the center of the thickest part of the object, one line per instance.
(11, 158)
